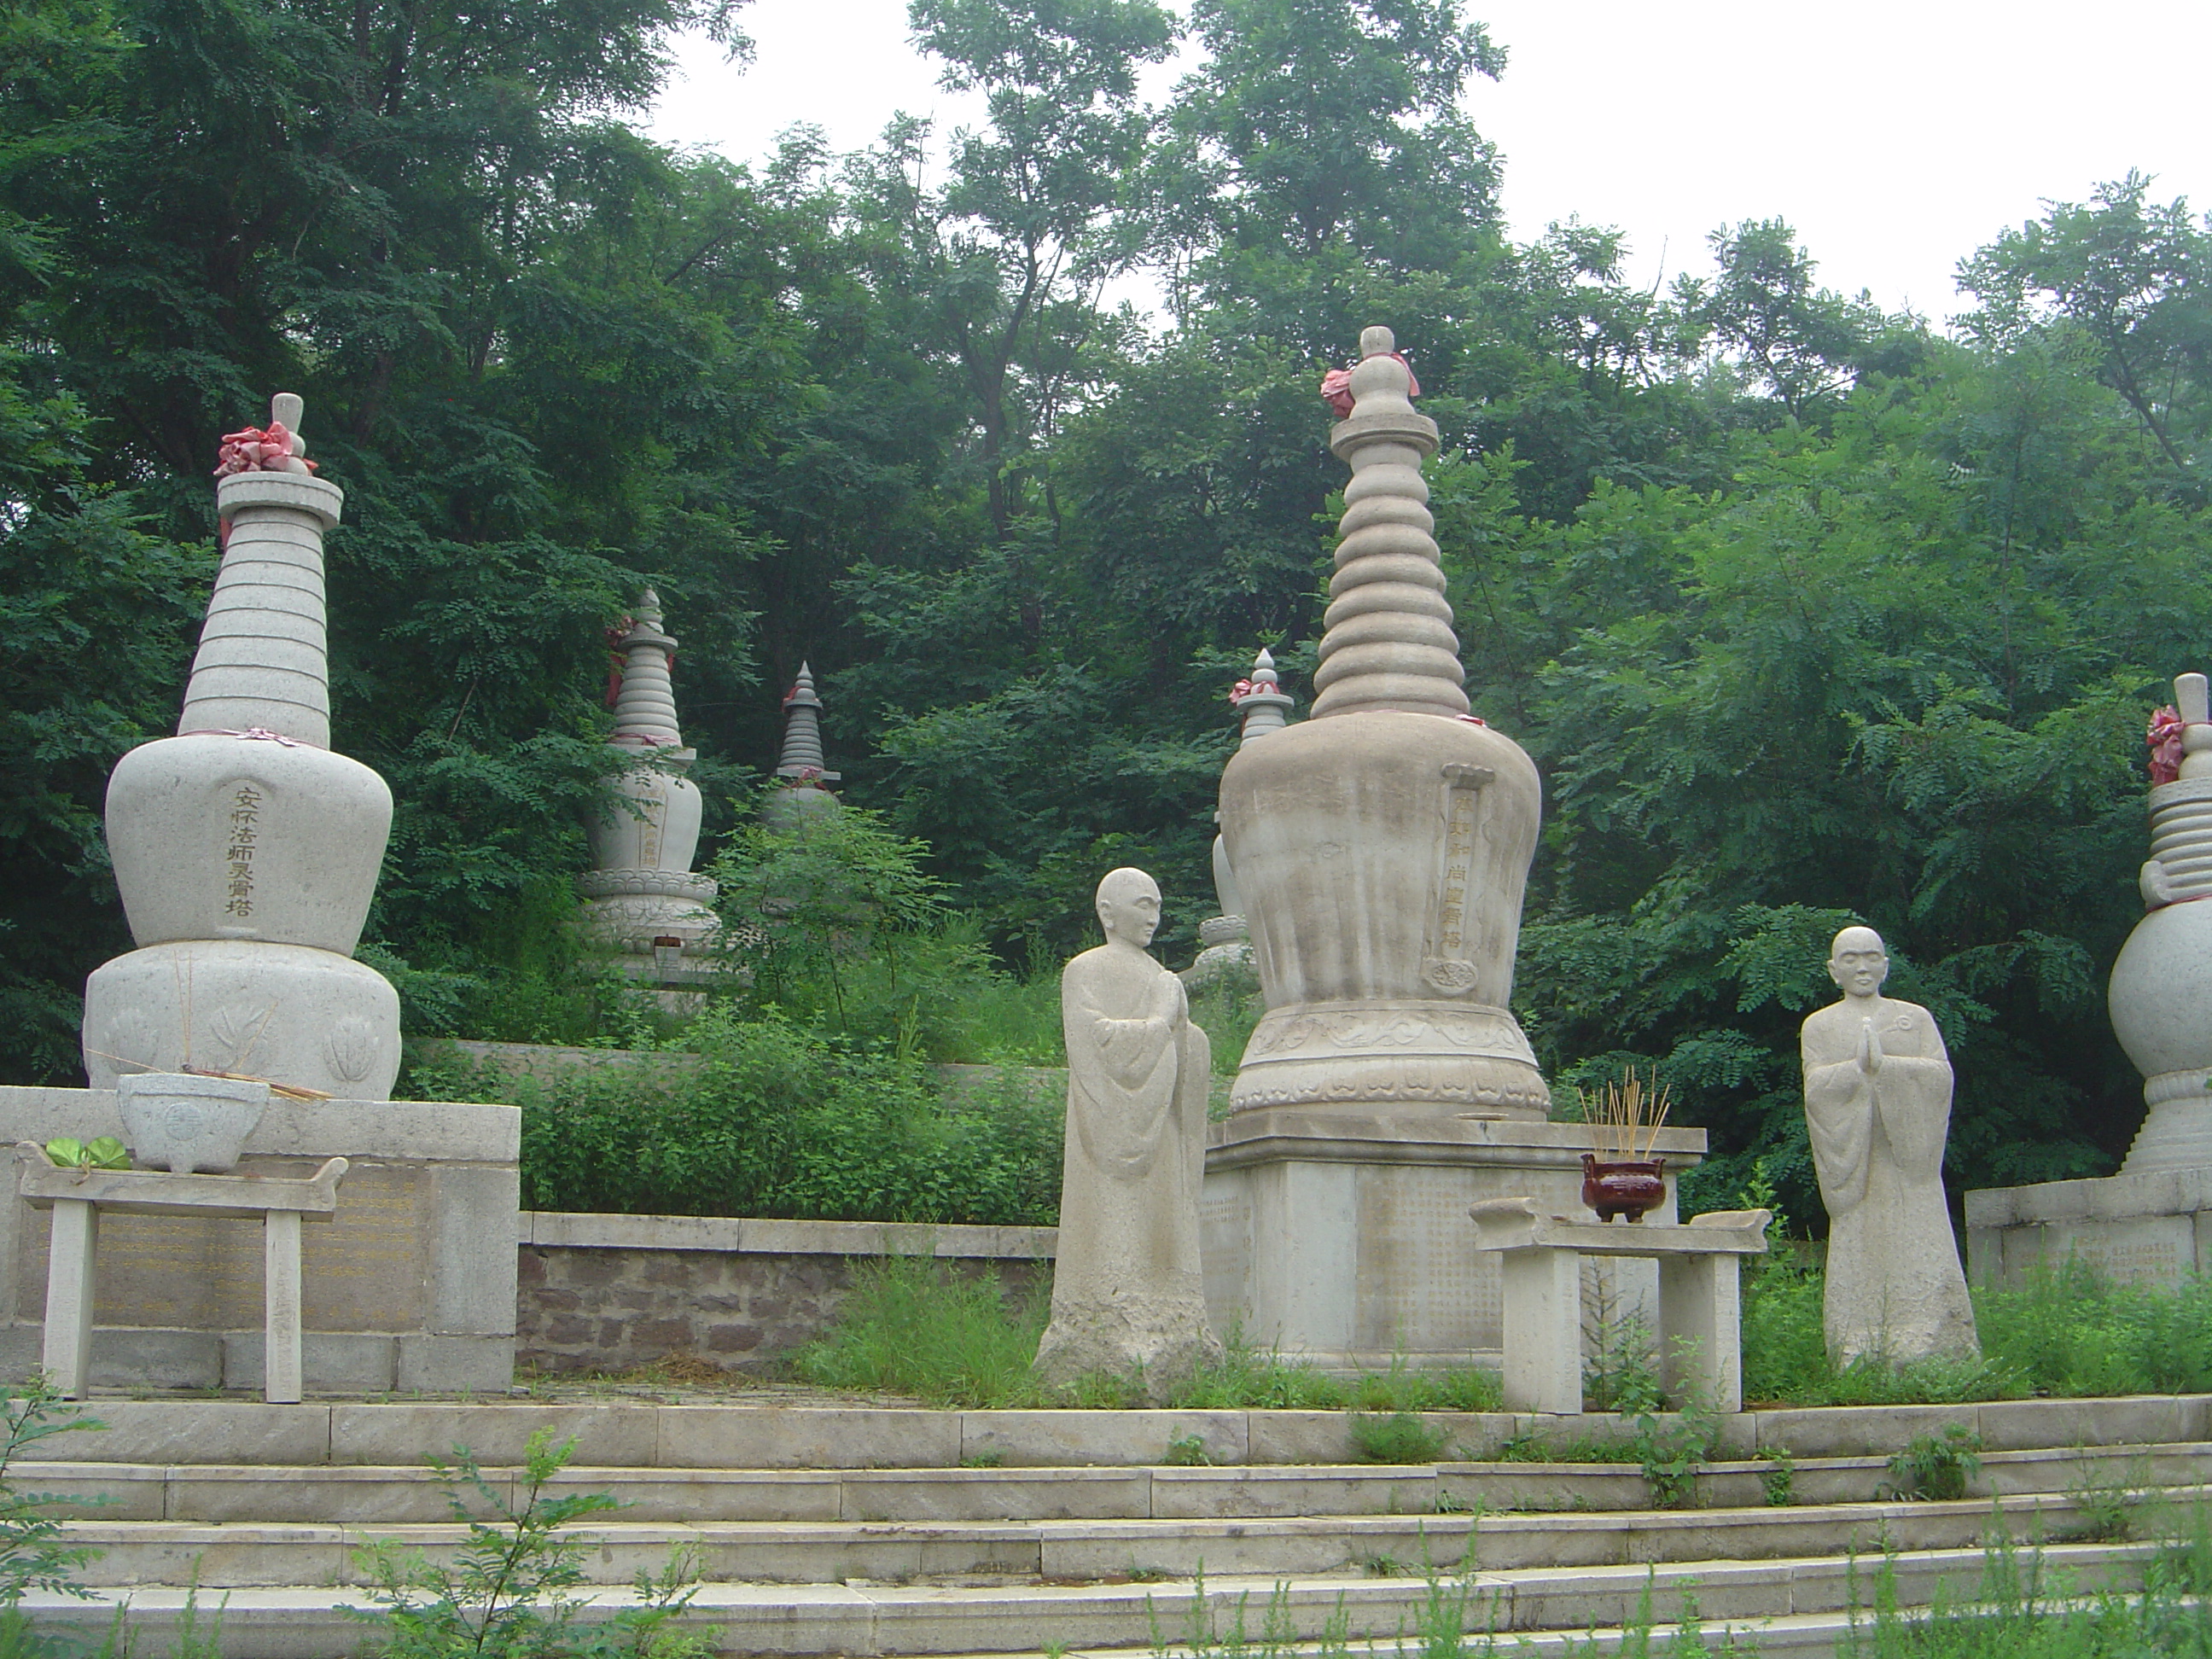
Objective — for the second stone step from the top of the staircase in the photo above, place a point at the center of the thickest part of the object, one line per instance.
(371, 1494)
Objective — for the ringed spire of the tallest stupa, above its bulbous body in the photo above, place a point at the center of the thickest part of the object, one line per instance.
(1390, 640)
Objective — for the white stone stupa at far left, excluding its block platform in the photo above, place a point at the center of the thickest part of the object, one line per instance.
(244, 848)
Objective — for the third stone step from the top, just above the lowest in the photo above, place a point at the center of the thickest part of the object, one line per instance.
(271, 1554)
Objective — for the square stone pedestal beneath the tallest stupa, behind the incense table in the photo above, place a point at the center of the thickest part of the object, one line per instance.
(1342, 1238)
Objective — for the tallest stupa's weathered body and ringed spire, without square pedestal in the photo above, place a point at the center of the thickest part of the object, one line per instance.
(1384, 846)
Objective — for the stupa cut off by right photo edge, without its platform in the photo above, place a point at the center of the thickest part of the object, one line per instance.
(2162, 981)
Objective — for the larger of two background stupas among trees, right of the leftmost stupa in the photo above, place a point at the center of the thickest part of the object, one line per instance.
(643, 901)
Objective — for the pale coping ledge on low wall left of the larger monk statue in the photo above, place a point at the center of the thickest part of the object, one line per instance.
(773, 1238)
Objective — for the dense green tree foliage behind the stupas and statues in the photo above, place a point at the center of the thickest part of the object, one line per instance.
(1806, 612)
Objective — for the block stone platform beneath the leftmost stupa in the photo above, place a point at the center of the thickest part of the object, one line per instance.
(410, 1286)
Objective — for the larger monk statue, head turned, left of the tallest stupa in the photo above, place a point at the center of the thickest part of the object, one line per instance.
(1127, 1284)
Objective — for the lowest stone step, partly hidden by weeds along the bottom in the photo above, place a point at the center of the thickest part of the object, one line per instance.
(1786, 1605)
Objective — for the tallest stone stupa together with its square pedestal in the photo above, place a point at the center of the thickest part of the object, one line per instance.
(1381, 851)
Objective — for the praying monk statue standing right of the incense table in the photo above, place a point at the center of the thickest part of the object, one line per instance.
(1879, 1109)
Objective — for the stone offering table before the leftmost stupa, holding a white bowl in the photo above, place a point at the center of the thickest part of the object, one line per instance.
(79, 1198)
